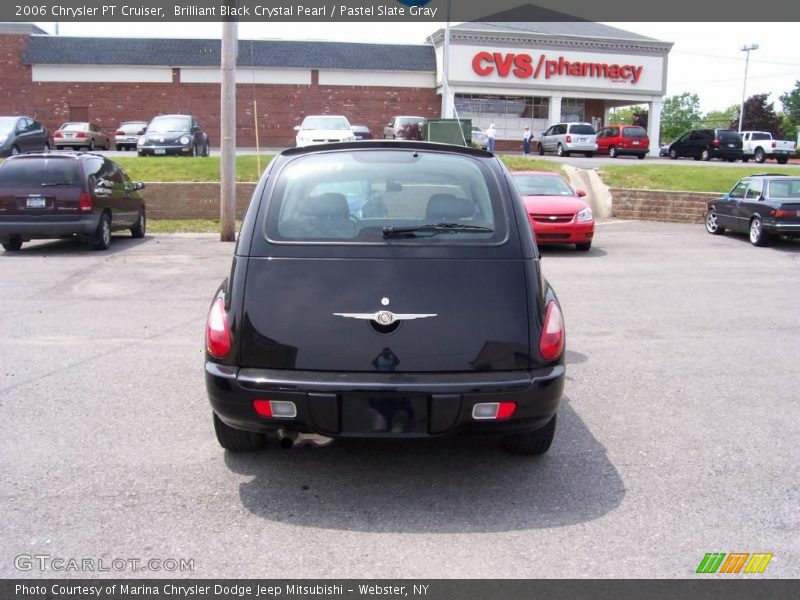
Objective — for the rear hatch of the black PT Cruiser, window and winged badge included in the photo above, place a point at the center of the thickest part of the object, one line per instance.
(323, 272)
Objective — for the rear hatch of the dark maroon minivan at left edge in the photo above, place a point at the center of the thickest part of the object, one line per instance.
(42, 188)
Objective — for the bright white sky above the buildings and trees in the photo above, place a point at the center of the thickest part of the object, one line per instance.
(706, 58)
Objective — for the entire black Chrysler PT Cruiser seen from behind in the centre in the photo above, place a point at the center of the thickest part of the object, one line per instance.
(385, 289)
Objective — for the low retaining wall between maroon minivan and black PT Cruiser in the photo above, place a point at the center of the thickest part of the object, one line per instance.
(191, 200)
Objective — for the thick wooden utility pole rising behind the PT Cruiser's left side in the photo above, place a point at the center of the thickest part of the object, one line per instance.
(227, 205)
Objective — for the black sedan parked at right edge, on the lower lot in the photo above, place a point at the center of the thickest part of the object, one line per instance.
(760, 205)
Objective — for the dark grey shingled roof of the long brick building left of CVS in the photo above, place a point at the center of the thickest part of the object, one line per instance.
(58, 50)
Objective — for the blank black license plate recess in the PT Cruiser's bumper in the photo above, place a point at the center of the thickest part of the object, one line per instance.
(384, 414)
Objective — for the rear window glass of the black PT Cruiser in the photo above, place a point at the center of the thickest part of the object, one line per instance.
(350, 197)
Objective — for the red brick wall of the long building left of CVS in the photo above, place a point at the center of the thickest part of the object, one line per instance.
(280, 107)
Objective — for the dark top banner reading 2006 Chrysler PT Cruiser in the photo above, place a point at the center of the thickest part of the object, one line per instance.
(398, 11)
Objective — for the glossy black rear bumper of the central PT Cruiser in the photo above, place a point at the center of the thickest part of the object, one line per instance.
(326, 401)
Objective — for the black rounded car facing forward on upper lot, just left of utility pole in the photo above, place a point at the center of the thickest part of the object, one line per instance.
(173, 134)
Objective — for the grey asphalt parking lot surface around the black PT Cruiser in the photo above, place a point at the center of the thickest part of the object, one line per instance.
(678, 435)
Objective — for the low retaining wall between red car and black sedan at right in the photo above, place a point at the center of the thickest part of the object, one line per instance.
(657, 205)
